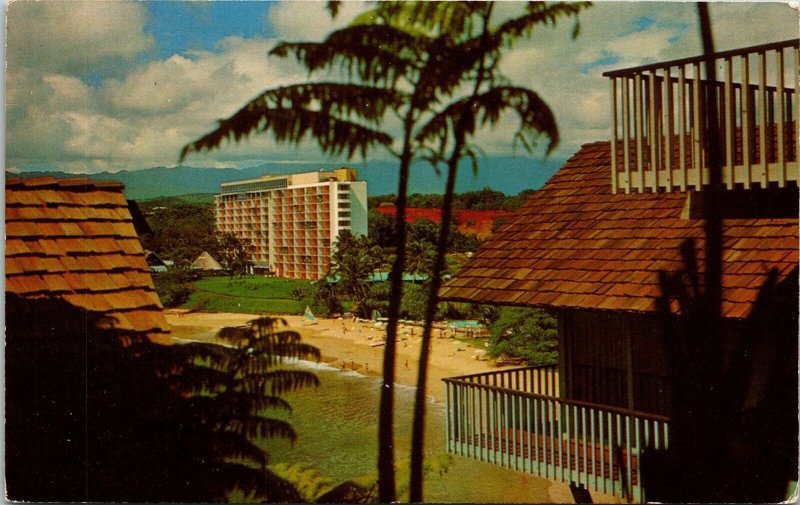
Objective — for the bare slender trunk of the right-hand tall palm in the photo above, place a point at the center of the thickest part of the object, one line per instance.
(418, 434)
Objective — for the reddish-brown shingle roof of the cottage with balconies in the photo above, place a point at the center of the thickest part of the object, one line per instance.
(574, 244)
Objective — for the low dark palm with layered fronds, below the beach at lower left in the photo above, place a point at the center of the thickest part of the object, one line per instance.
(230, 392)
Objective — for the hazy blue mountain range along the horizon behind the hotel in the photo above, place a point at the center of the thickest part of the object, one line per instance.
(509, 174)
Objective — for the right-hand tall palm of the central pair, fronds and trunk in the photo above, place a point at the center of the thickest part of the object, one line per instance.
(450, 129)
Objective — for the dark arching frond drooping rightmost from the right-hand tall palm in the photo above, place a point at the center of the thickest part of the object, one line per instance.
(535, 116)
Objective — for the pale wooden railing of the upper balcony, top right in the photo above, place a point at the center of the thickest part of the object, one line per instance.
(658, 114)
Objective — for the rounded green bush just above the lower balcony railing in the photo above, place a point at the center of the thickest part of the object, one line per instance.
(528, 334)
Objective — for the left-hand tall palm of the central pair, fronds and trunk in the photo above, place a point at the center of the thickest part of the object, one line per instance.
(387, 69)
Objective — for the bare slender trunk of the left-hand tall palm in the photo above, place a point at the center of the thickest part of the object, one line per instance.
(387, 487)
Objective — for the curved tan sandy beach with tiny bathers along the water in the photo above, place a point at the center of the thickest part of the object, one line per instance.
(352, 345)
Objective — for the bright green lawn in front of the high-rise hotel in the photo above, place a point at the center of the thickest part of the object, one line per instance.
(252, 295)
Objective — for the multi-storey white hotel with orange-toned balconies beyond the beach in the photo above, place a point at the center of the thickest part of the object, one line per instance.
(291, 222)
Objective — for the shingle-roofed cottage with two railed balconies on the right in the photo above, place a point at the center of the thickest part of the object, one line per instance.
(593, 245)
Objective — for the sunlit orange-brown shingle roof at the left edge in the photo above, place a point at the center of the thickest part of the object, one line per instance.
(74, 240)
